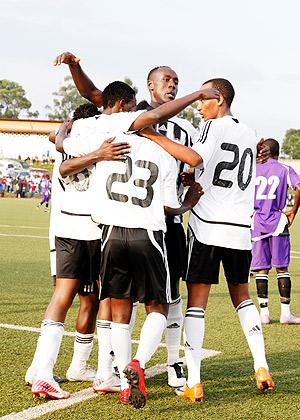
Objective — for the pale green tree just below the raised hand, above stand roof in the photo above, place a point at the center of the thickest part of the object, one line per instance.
(65, 101)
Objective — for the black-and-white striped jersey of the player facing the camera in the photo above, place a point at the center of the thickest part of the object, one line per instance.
(181, 131)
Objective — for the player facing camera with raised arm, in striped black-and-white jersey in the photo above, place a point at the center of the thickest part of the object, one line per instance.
(162, 83)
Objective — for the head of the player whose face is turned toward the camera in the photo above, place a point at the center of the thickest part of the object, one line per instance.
(162, 83)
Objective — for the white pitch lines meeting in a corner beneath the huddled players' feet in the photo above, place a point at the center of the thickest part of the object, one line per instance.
(85, 394)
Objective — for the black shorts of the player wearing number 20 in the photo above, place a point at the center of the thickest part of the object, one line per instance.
(204, 263)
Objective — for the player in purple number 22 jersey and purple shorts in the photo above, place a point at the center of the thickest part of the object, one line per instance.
(270, 231)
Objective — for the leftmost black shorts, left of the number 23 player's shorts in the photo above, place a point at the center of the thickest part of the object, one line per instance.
(78, 259)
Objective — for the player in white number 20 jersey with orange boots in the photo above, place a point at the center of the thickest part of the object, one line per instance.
(219, 229)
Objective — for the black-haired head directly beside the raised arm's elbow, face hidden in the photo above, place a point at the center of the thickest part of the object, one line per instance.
(119, 96)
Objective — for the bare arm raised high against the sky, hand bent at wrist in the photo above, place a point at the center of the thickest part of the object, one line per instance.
(85, 86)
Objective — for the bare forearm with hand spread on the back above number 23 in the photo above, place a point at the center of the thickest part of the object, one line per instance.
(107, 151)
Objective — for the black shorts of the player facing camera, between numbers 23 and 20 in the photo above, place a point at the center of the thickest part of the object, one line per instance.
(177, 255)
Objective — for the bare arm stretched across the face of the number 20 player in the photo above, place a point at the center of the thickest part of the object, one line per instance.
(172, 108)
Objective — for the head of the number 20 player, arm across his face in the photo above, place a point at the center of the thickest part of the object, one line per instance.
(212, 108)
